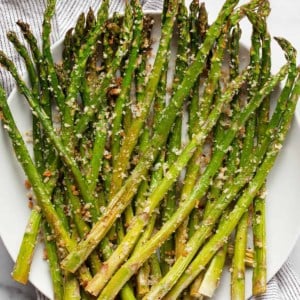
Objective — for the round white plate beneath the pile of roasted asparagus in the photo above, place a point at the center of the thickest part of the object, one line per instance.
(283, 222)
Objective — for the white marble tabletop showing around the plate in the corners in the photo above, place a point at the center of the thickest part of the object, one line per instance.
(283, 21)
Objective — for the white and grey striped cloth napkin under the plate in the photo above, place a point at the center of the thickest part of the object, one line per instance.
(284, 285)
